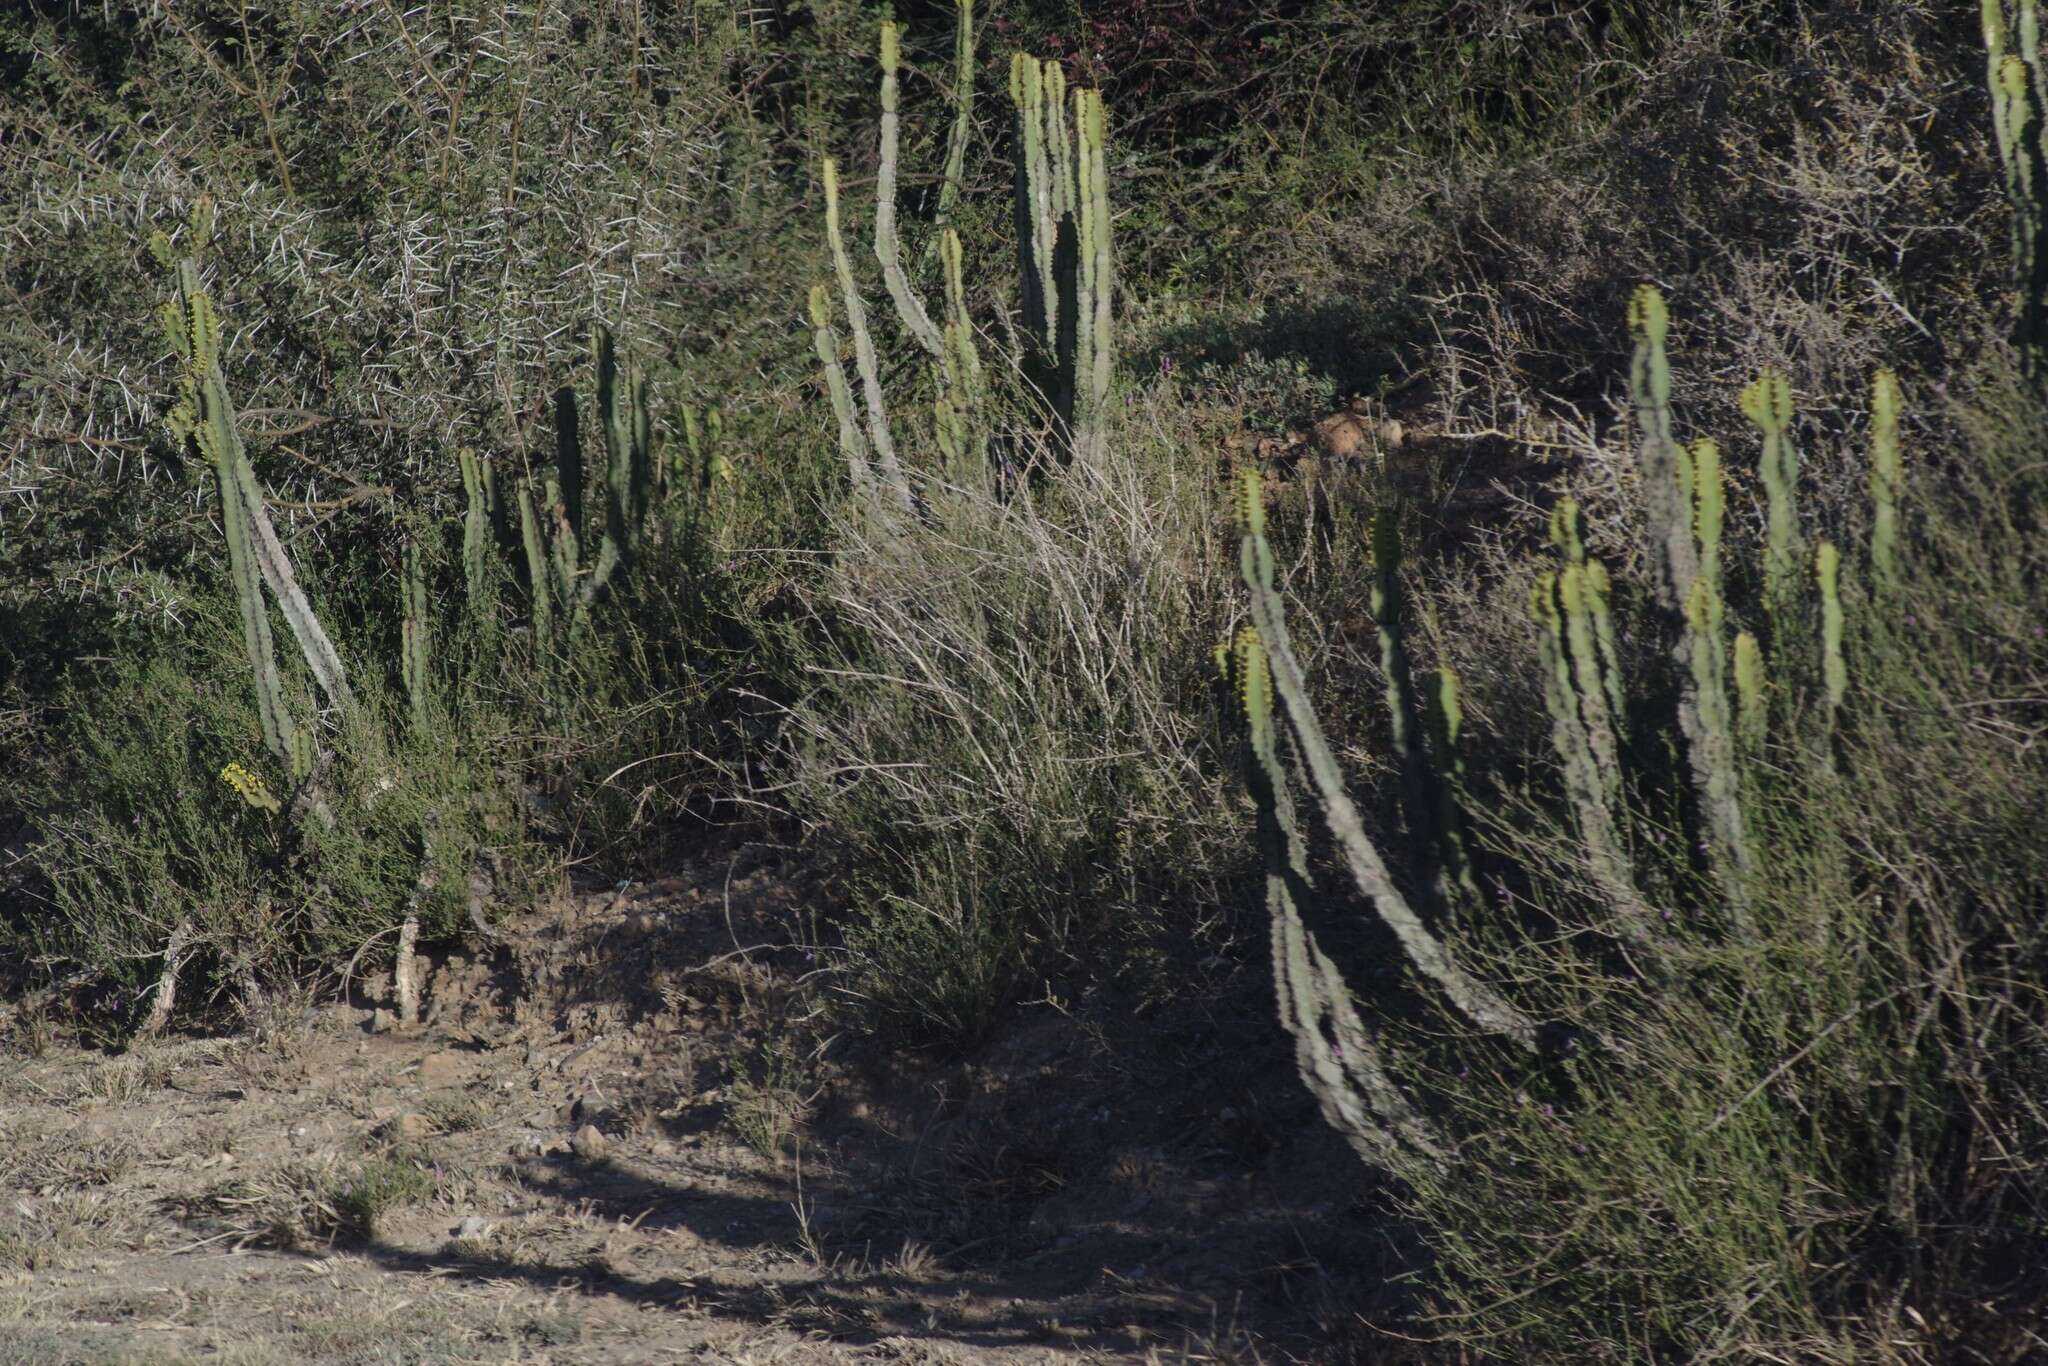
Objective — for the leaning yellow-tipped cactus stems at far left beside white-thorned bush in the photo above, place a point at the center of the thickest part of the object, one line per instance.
(206, 419)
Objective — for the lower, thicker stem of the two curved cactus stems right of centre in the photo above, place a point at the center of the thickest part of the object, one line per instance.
(1334, 1052)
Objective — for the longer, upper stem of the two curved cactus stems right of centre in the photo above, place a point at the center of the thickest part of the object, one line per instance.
(1369, 871)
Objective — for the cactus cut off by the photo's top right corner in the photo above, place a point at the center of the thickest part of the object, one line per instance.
(2018, 128)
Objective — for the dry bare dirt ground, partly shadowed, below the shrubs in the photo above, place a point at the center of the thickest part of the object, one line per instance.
(622, 1136)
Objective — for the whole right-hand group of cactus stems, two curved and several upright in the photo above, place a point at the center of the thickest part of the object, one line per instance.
(1725, 710)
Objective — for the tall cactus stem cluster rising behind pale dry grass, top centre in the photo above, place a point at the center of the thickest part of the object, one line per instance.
(1066, 267)
